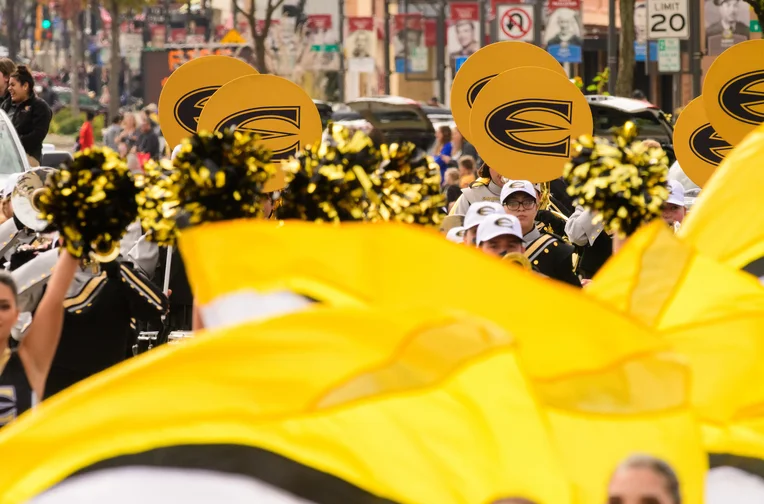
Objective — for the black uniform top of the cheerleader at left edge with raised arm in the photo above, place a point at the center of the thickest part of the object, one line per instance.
(16, 394)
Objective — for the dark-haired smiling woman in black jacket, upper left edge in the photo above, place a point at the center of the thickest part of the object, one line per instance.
(29, 114)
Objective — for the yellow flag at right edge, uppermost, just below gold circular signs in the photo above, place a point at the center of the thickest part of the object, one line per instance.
(727, 223)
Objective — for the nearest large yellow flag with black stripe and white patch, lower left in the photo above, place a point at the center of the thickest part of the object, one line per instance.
(329, 405)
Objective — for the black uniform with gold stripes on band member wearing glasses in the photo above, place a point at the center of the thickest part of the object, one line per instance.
(550, 256)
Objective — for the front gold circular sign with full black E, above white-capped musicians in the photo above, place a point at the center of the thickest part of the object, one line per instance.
(523, 121)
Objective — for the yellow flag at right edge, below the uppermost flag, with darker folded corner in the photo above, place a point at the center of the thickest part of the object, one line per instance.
(712, 314)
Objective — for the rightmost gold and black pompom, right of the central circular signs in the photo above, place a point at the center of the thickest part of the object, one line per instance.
(623, 183)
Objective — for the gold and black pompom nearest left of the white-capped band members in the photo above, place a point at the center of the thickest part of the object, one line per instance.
(408, 183)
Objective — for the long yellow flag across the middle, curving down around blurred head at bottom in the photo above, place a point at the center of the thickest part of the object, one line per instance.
(607, 390)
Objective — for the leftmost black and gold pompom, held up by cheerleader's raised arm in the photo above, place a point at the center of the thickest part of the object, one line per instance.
(91, 201)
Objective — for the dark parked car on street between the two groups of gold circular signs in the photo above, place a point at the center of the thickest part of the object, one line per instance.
(397, 119)
